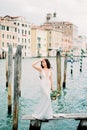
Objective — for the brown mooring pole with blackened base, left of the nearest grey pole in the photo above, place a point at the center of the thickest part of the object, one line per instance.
(10, 63)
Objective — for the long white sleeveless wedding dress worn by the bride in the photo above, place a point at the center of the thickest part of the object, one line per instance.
(44, 108)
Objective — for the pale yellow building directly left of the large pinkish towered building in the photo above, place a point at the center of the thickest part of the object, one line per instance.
(54, 40)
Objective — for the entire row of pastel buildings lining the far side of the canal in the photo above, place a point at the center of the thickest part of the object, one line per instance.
(41, 40)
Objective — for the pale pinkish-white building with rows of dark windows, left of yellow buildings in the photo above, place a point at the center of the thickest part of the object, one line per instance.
(24, 35)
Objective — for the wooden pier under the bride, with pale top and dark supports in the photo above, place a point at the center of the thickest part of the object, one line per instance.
(36, 123)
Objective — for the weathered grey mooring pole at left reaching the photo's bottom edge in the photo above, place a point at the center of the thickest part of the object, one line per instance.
(16, 86)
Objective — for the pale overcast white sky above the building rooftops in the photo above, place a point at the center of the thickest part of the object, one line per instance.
(35, 11)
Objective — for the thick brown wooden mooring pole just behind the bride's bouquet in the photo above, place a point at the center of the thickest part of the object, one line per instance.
(58, 62)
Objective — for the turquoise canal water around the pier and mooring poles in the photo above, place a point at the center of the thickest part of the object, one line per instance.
(73, 99)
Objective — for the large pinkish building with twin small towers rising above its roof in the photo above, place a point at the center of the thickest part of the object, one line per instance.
(69, 31)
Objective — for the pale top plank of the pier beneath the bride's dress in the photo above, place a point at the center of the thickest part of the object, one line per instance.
(60, 116)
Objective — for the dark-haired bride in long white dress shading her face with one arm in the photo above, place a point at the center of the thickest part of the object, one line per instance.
(44, 108)
